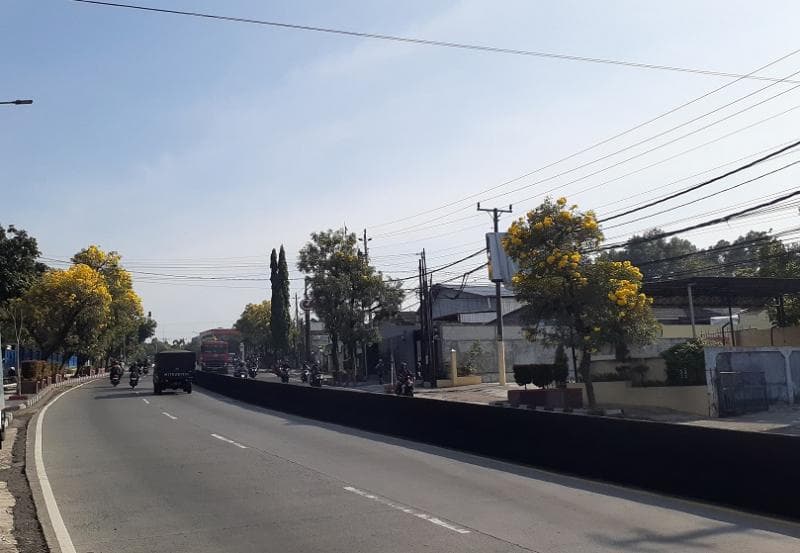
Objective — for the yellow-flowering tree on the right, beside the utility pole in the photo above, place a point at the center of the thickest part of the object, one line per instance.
(573, 298)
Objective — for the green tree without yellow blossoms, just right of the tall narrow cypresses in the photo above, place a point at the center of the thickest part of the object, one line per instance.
(345, 289)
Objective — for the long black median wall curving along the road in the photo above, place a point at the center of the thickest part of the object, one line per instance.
(758, 472)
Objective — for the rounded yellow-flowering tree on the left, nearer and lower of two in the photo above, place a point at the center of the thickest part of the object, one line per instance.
(67, 311)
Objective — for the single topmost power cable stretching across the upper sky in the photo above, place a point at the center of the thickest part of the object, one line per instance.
(438, 43)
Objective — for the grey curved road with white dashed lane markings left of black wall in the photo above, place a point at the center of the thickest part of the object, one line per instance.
(134, 472)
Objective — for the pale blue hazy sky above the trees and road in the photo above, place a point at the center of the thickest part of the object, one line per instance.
(193, 147)
